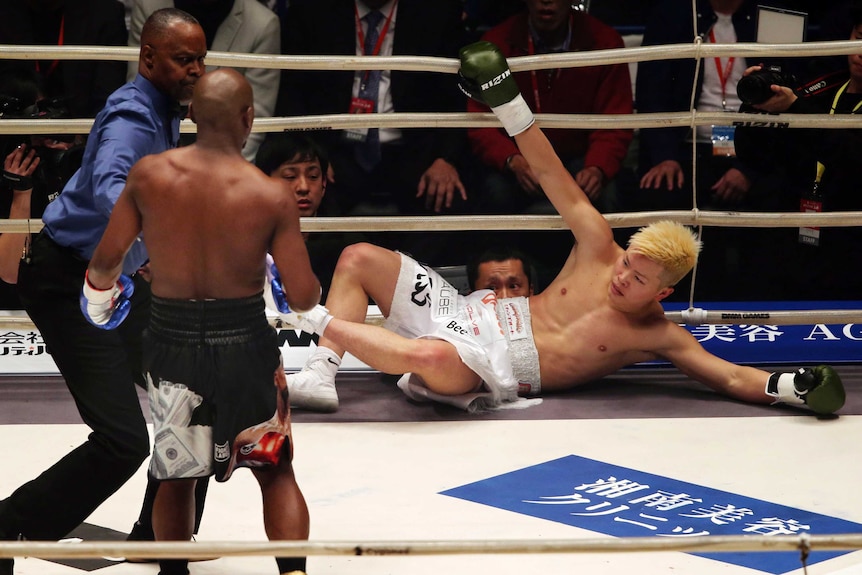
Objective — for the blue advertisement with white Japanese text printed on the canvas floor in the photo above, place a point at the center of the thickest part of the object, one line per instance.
(624, 502)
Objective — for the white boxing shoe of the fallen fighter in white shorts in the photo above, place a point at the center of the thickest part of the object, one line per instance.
(313, 388)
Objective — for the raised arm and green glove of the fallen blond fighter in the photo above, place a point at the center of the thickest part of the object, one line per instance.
(485, 76)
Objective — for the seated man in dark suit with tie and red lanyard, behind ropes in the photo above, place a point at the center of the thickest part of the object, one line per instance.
(416, 170)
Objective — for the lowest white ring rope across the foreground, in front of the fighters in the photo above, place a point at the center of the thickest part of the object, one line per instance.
(204, 549)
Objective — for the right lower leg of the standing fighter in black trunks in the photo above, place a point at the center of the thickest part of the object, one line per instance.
(285, 513)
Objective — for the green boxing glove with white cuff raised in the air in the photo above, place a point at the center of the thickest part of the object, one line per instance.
(485, 77)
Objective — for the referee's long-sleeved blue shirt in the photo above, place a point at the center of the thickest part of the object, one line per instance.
(137, 120)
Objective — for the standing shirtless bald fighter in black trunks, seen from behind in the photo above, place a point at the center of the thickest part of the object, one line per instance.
(209, 353)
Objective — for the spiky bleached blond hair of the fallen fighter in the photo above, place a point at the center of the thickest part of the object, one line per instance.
(672, 245)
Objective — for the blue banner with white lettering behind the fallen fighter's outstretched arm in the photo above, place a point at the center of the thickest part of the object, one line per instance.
(770, 344)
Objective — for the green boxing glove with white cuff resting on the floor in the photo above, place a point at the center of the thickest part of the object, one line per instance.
(820, 389)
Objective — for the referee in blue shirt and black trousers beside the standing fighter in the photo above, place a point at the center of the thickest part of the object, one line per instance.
(101, 367)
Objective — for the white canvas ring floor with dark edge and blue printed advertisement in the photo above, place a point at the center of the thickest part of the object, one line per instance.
(385, 469)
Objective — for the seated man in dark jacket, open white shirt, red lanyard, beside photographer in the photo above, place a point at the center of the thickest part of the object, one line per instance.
(724, 180)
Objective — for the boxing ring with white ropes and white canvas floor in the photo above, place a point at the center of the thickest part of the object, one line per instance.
(502, 535)
